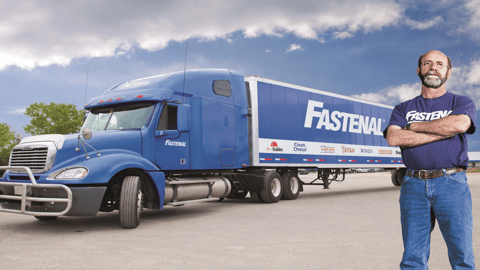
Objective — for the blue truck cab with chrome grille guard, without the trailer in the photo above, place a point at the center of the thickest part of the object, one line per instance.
(140, 139)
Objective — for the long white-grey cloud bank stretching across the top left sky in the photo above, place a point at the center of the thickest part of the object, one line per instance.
(42, 33)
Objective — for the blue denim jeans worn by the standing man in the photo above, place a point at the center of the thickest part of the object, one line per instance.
(446, 199)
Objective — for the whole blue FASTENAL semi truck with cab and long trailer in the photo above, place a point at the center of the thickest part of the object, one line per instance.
(192, 136)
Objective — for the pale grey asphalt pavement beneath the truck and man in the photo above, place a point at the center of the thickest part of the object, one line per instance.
(353, 225)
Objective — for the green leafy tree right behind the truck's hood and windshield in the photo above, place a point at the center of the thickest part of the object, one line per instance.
(53, 118)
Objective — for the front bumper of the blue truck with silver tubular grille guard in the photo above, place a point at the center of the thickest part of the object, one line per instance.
(49, 199)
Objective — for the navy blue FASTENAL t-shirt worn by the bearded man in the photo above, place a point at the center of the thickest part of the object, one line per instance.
(440, 154)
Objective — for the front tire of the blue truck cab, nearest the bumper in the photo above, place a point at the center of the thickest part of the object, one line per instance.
(131, 202)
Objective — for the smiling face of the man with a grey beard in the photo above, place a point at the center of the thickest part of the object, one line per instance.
(434, 70)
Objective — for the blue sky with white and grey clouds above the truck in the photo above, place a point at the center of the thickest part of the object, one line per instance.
(363, 48)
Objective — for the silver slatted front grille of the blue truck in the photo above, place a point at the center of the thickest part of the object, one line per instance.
(33, 157)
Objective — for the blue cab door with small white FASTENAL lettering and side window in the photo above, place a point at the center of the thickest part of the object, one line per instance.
(172, 137)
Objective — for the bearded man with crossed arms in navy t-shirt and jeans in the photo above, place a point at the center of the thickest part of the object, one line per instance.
(431, 131)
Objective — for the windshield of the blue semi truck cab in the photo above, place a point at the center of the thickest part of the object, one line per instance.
(119, 118)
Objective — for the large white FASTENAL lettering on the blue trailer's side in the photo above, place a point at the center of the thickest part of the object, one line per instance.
(337, 120)
